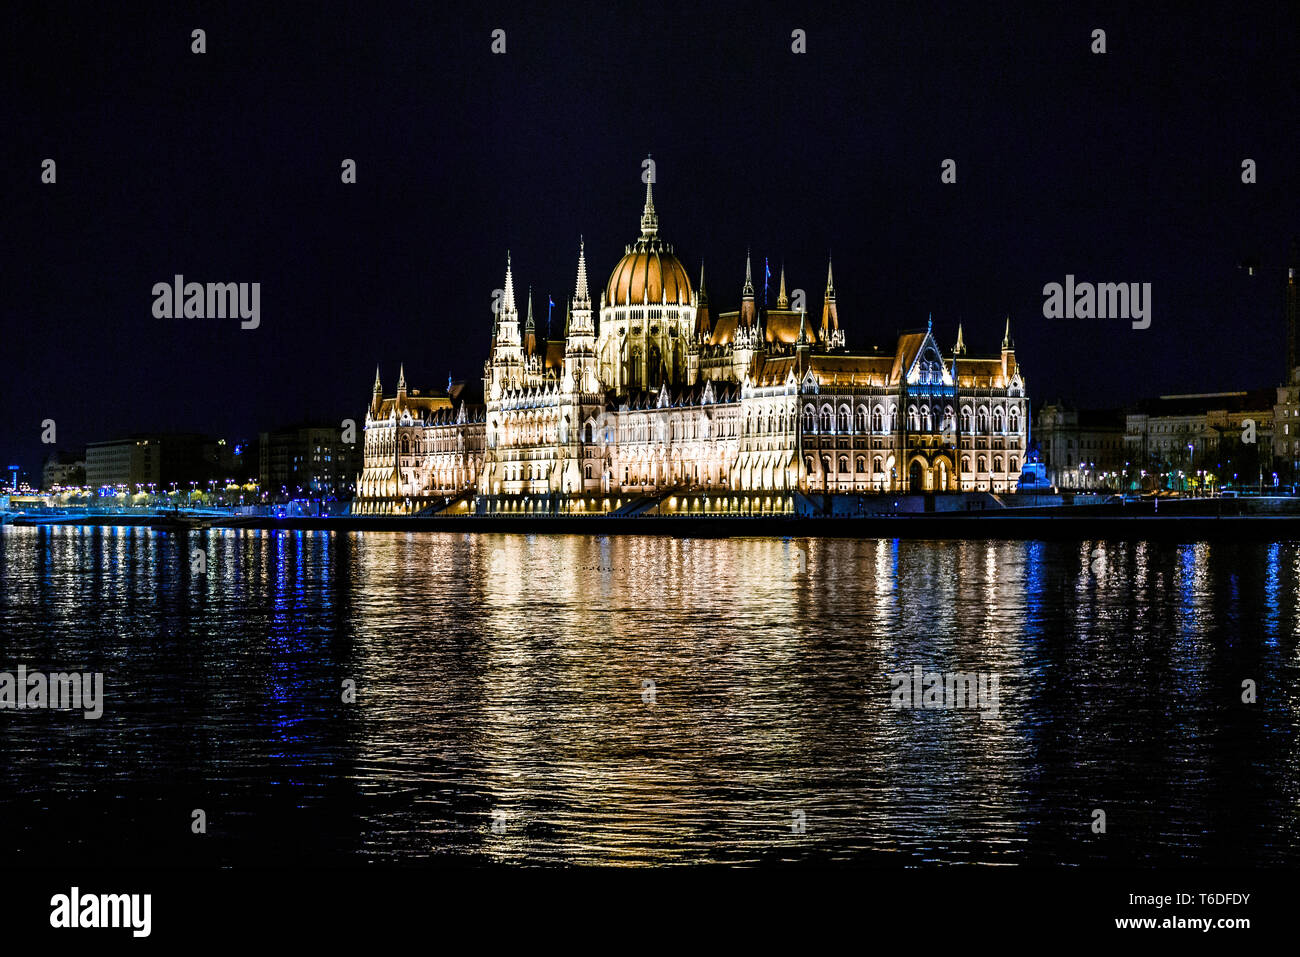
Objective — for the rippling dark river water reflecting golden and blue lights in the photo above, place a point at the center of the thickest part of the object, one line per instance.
(648, 700)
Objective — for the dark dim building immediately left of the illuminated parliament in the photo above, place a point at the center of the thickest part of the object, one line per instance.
(309, 461)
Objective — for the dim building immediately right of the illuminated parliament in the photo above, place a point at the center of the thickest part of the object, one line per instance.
(1082, 449)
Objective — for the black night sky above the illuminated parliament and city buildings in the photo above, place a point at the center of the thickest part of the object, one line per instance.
(226, 167)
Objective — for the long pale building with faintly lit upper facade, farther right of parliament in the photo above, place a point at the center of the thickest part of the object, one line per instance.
(1203, 440)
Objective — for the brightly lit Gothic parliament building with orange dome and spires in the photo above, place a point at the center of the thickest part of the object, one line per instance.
(666, 402)
